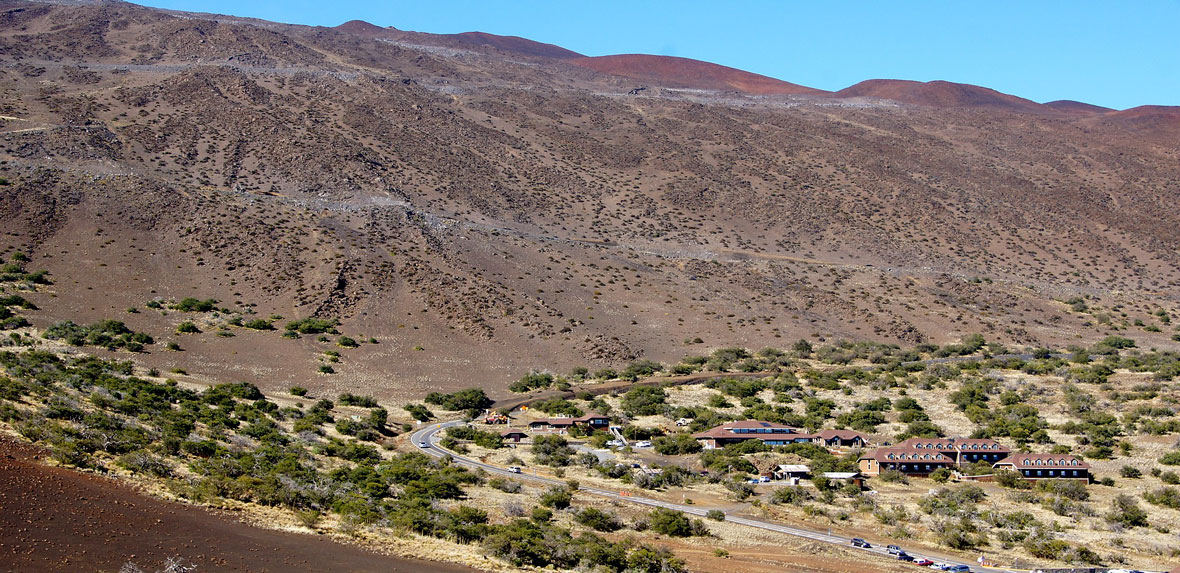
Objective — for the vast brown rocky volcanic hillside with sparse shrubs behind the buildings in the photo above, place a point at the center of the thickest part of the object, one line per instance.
(483, 208)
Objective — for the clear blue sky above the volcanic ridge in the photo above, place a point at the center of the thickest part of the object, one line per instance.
(1117, 55)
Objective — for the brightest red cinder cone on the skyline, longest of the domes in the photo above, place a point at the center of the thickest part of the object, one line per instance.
(684, 73)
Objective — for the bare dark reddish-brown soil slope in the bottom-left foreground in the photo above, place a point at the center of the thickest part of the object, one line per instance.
(55, 519)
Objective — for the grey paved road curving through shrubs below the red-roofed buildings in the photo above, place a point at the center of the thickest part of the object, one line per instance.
(427, 434)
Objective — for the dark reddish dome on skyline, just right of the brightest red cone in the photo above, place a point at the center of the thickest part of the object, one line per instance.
(940, 95)
